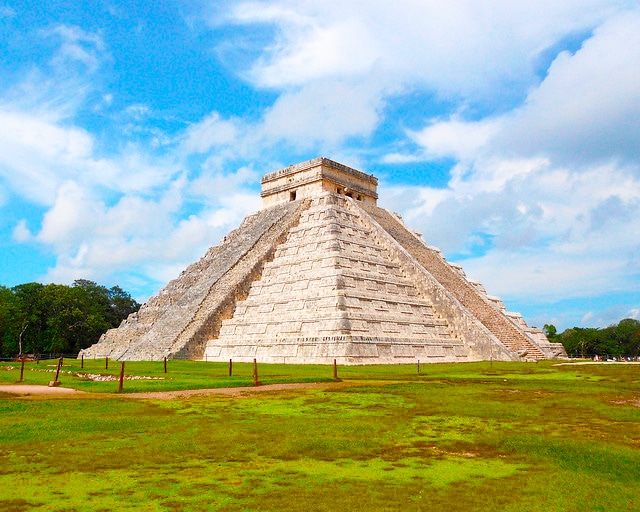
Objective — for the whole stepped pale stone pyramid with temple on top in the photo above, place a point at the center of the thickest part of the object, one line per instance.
(321, 273)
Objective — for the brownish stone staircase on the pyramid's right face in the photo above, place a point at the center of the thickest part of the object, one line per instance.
(512, 337)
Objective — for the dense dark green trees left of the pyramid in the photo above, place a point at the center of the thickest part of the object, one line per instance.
(55, 318)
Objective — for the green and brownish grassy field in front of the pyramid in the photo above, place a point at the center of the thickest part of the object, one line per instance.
(478, 436)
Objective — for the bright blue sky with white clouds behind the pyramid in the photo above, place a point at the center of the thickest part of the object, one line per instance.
(133, 136)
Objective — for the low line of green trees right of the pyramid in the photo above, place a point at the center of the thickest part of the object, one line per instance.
(622, 340)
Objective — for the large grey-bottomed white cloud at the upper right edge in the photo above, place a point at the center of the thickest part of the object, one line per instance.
(588, 106)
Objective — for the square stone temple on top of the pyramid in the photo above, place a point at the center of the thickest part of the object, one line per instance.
(310, 178)
